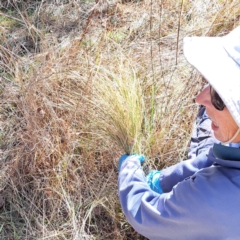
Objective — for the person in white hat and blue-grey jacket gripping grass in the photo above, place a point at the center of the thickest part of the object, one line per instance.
(197, 198)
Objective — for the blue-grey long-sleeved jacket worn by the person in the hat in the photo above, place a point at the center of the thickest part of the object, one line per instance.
(201, 199)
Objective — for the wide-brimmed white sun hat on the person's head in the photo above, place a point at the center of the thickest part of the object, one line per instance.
(218, 60)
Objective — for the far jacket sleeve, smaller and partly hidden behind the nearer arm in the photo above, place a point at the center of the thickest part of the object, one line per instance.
(172, 175)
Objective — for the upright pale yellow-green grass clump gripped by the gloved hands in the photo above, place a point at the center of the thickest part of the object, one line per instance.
(121, 107)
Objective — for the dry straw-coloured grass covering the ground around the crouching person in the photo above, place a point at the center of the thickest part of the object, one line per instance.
(82, 83)
